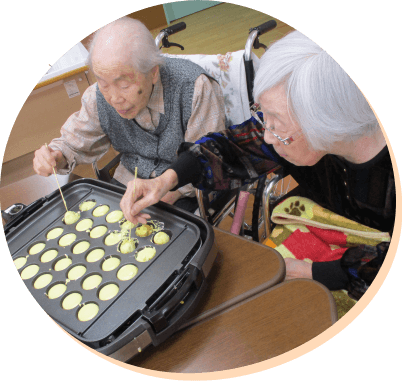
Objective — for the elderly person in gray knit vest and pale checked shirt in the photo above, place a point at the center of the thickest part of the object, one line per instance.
(143, 104)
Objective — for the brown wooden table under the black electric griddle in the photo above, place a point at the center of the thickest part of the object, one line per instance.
(247, 315)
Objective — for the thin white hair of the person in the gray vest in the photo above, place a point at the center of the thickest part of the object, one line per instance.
(143, 52)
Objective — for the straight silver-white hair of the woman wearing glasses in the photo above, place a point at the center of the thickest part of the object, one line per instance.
(322, 98)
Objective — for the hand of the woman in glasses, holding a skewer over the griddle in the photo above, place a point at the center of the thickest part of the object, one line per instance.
(147, 192)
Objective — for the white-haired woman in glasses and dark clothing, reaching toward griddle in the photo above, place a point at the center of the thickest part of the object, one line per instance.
(315, 122)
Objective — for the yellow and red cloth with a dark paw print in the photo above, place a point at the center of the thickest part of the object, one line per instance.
(308, 232)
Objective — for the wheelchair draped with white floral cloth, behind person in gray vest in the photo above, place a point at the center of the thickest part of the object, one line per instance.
(215, 206)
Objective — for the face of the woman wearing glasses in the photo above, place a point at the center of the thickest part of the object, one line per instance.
(274, 106)
